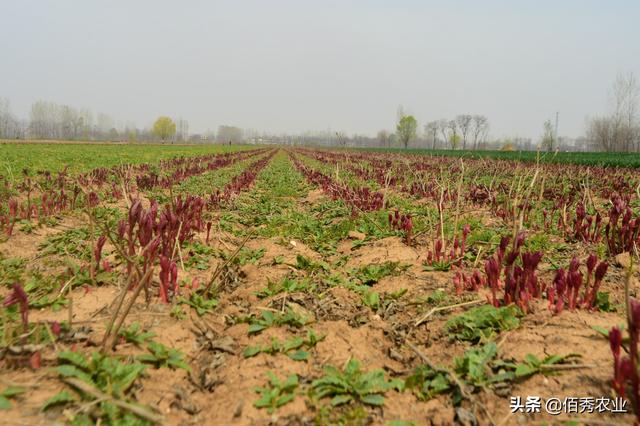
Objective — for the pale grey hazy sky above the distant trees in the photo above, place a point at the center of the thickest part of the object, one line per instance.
(308, 65)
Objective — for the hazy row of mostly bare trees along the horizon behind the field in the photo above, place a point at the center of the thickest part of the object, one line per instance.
(618, 130)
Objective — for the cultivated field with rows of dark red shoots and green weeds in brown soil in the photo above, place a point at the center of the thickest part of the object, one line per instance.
(239, 285)
